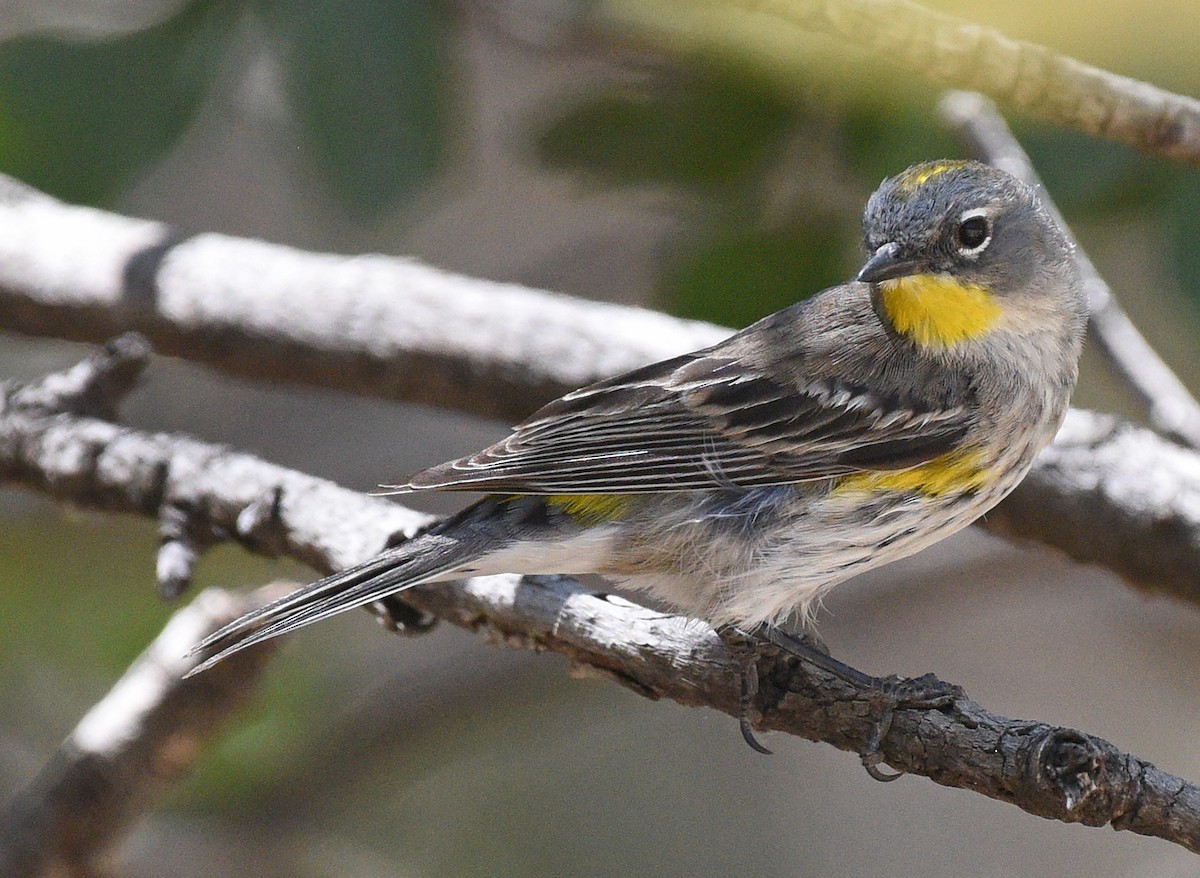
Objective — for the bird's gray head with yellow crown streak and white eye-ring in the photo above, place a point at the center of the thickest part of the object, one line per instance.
(969, 221)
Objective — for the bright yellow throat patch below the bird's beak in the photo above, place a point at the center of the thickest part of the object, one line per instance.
(937, 310)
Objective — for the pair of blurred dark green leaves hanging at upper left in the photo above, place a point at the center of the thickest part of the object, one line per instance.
(83, 119)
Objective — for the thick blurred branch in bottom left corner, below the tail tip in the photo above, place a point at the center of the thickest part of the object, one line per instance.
(131, 748)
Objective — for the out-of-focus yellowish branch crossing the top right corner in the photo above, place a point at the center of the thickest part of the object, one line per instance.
(949, 51)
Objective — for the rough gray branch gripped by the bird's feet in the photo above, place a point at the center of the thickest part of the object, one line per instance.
(1049, 772)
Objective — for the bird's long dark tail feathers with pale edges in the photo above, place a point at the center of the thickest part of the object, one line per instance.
(395, 570)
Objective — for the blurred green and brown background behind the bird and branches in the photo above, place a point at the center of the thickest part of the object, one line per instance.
(541, 142)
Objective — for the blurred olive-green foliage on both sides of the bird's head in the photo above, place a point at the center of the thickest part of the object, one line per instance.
(724, 137)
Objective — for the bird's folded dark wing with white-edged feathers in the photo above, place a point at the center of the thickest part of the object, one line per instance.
(700, 422)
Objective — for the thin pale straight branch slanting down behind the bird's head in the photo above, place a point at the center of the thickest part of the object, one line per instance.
(1173, 410)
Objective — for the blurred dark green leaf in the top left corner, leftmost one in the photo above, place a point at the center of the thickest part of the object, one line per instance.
(81, 119)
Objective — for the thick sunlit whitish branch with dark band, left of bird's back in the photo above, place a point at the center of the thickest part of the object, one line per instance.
(367, 324)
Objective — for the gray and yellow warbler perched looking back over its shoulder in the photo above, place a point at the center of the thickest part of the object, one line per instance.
(742, 482)
